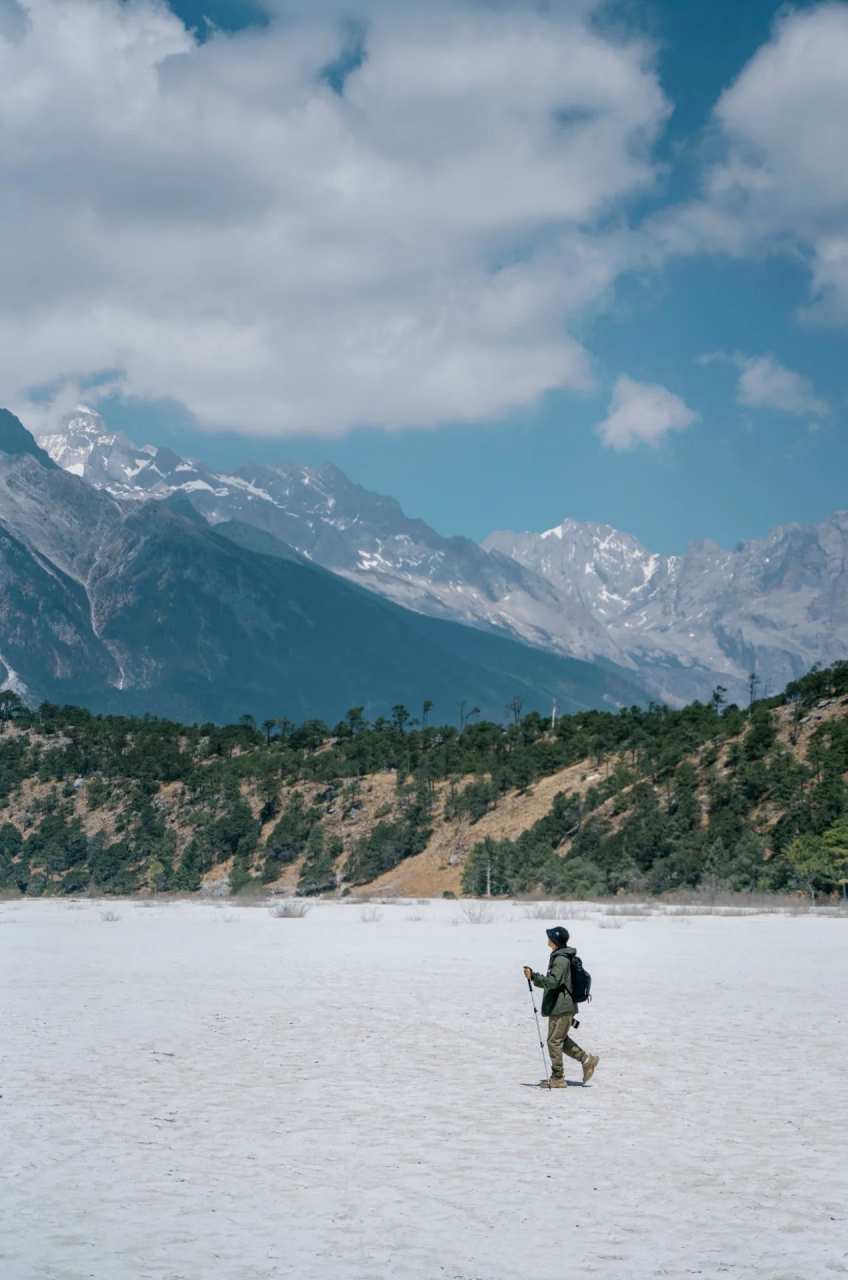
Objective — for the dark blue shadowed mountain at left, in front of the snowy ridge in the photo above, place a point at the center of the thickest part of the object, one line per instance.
(135, 607)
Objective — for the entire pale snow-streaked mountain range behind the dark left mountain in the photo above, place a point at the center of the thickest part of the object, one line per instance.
(677, 624)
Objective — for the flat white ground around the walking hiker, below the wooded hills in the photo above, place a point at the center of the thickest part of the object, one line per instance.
(194, 1092)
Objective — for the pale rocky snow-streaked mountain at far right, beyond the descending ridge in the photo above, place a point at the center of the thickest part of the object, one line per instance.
(773, 607)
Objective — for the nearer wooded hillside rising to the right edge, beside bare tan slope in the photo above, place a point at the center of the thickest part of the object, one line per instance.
(741, 813)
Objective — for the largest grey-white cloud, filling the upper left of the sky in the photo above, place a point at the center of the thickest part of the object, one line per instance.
(218, 226)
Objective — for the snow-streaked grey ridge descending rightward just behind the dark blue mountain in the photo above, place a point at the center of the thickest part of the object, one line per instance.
(362, 536)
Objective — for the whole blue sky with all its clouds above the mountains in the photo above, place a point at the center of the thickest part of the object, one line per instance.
(509, 262)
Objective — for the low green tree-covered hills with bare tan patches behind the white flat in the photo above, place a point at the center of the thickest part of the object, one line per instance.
(649, 801)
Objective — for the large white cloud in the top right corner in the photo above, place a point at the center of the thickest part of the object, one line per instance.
(782, 185)
